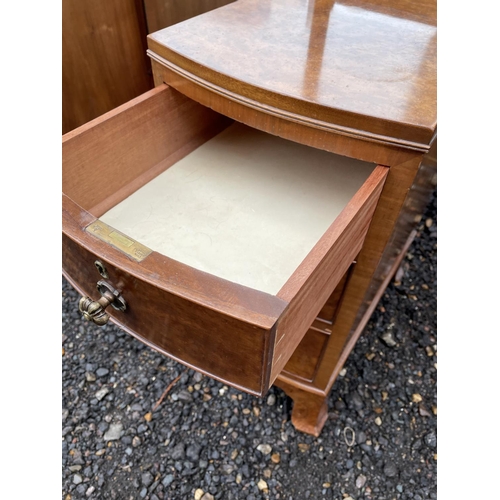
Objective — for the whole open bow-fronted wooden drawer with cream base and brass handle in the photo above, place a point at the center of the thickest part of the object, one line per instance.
(220, 242)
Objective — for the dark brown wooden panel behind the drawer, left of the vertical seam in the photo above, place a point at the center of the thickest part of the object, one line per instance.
(103, 58)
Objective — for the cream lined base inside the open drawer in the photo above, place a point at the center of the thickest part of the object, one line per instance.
(245, 206)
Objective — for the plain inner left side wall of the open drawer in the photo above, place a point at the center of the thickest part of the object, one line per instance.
(106, 160)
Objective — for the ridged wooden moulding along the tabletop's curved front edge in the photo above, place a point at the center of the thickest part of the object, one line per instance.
(279, 112)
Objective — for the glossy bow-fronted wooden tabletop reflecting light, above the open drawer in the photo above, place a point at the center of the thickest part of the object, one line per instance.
(366, 67)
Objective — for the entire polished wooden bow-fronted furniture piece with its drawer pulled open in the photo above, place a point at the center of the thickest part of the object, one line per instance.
(245, 216)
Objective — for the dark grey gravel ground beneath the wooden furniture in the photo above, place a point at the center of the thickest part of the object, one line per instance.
(206, 440)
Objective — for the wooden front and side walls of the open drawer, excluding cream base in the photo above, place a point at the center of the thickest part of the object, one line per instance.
(235, 333)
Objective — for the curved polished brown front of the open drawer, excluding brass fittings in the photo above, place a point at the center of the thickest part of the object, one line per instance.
(219, 328)
